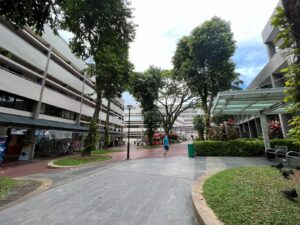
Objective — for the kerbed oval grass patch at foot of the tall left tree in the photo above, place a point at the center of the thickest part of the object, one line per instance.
(80, 160)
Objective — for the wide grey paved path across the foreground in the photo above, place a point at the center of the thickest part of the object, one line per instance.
(138, 192)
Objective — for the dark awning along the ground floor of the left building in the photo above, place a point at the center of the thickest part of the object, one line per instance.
(28, 122)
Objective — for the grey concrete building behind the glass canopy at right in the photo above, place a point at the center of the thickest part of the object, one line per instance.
(269, 77)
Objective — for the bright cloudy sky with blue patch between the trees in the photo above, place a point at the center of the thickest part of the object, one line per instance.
(161, 23)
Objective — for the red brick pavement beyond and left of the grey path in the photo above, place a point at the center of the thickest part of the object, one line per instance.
(25, 168)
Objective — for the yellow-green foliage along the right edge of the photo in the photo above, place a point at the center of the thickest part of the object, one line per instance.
(287, 19)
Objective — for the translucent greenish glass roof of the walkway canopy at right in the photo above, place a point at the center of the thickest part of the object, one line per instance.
(249, 102)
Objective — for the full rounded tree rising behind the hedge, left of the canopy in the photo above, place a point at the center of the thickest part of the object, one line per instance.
(203, 60)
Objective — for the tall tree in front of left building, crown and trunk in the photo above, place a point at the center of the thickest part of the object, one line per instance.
(102, 32)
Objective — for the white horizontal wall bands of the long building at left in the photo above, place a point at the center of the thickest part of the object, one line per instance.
(26, 53)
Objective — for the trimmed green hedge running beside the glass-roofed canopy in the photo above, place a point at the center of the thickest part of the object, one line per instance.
(239, 147)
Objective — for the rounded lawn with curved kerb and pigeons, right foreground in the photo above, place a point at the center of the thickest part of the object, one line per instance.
(252, 195)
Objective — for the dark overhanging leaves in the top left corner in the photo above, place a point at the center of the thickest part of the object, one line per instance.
(32, 13)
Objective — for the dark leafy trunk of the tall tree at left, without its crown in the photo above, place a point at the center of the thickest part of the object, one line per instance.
(92, 139)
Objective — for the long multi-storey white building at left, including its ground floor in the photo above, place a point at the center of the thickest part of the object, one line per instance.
(44, 94)
